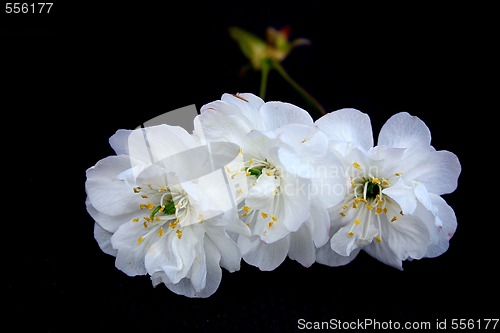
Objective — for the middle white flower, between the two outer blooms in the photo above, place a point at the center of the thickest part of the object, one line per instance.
(292, 177)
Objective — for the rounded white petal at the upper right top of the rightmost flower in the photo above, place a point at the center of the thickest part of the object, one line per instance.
(405, 131)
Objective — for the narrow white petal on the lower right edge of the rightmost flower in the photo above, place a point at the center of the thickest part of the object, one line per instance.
(448, 220)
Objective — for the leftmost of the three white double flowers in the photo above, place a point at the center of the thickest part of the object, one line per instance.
(163, 207)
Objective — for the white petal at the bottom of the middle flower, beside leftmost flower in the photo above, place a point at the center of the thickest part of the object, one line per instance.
(264, 256)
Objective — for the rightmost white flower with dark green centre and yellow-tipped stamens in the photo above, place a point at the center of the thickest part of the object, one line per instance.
(393, 209)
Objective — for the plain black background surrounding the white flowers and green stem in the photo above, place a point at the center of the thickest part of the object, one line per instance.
(73, 77)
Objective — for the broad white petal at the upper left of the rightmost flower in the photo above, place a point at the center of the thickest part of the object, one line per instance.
(347, 125)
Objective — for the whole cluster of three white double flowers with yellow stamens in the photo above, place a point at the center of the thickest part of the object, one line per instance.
(262, 181)
